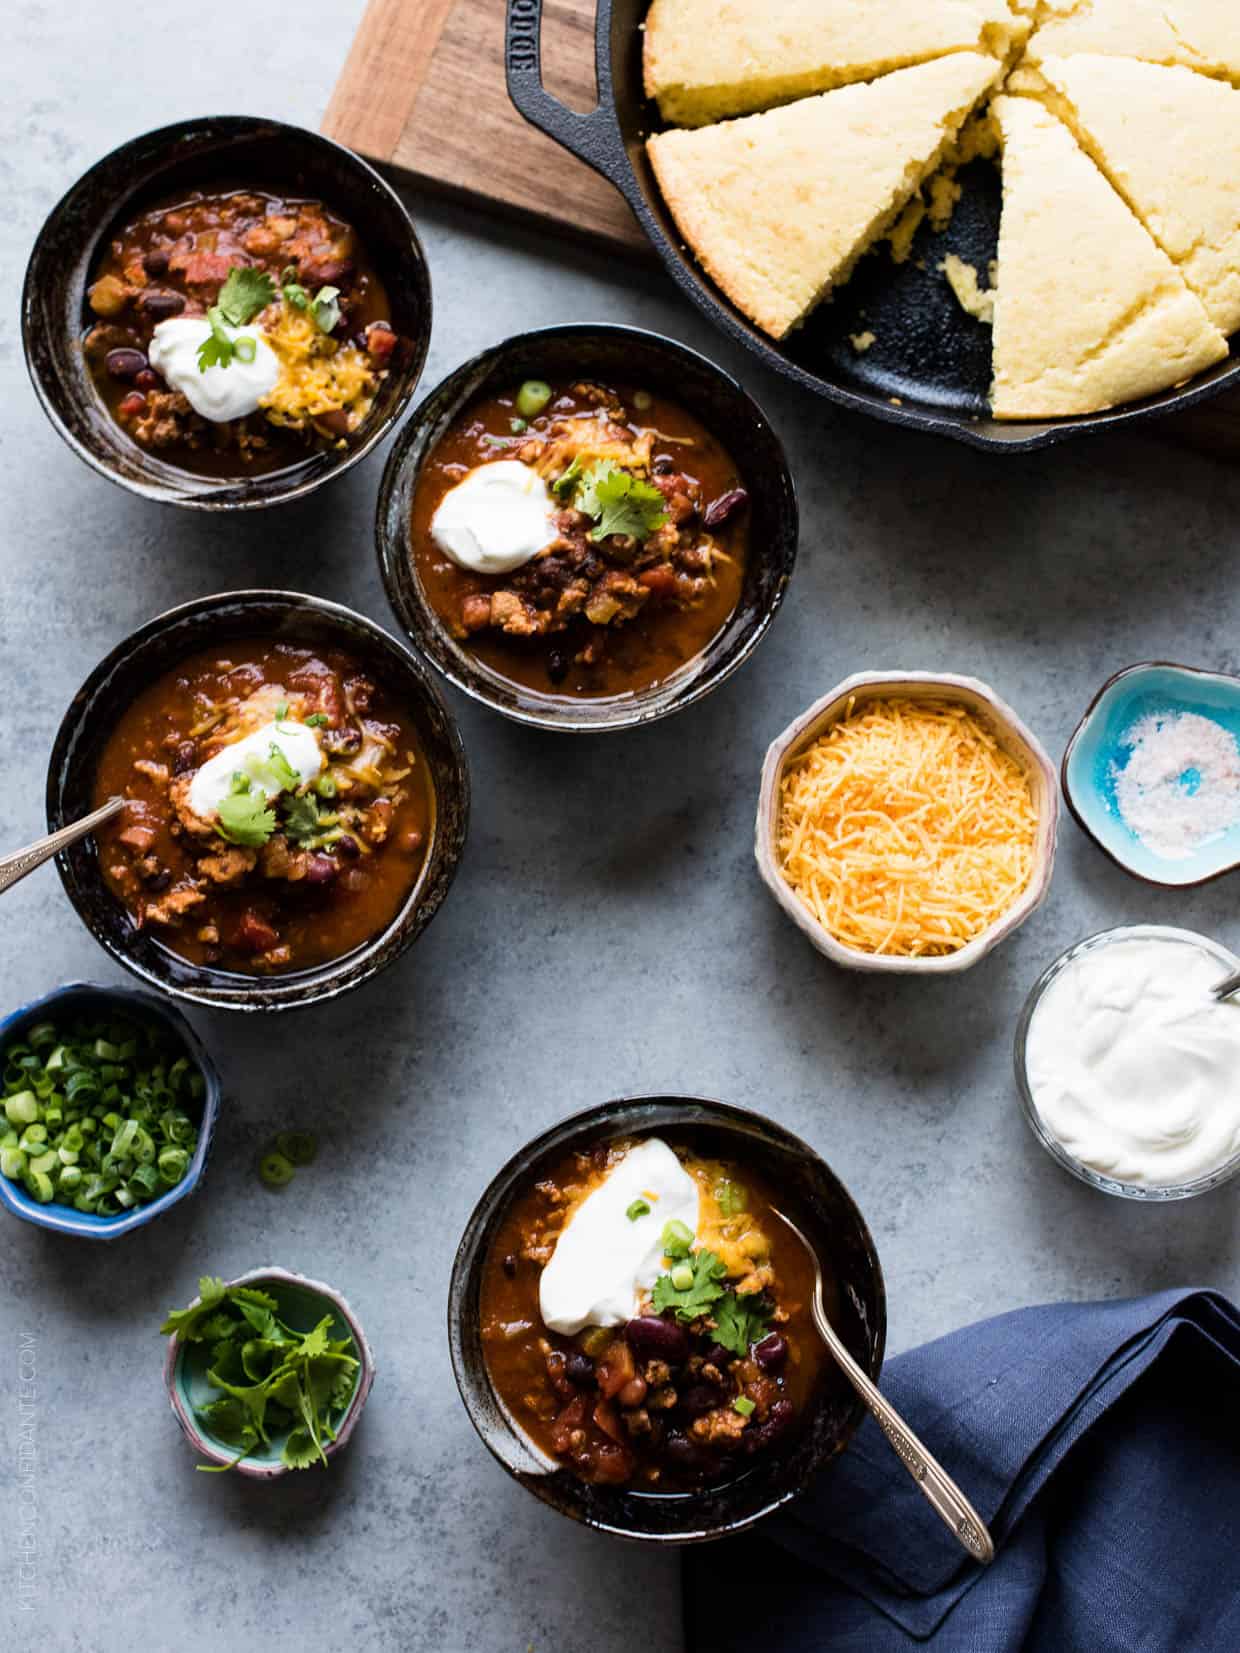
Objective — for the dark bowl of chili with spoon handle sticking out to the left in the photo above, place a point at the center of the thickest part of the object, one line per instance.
(297, 801)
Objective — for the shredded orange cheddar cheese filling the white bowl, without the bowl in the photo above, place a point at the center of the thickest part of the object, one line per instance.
(907, 829)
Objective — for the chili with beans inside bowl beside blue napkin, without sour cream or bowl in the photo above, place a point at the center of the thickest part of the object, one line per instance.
(659, 1404)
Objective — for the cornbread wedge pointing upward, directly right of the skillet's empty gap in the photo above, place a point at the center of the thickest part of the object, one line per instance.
(1090, 312)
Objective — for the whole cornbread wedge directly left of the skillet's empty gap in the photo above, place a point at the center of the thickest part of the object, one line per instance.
(781, 206)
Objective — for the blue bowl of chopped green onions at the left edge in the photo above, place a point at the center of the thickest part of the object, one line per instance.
(108, 1105)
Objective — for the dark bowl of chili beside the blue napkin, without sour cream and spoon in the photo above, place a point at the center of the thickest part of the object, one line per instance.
(708, 1432)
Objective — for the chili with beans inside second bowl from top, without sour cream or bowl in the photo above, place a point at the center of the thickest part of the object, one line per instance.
(589, 616)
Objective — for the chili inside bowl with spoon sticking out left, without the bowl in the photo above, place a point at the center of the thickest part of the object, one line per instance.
(328, 865)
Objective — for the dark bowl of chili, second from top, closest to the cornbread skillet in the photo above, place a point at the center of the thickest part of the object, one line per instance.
(647, 591)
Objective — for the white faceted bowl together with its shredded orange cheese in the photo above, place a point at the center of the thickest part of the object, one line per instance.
(907, 822)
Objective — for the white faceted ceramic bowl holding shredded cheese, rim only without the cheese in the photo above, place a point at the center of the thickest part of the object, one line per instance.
(1016, 740)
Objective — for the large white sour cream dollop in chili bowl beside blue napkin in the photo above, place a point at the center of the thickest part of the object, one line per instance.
(604, 1262)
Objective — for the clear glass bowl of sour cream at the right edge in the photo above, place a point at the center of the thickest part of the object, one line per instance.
(1127, 1065)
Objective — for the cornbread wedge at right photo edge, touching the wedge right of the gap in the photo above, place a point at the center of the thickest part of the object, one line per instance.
(1170, 141)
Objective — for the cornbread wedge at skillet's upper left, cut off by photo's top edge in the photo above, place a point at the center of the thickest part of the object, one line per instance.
(707, 60)
